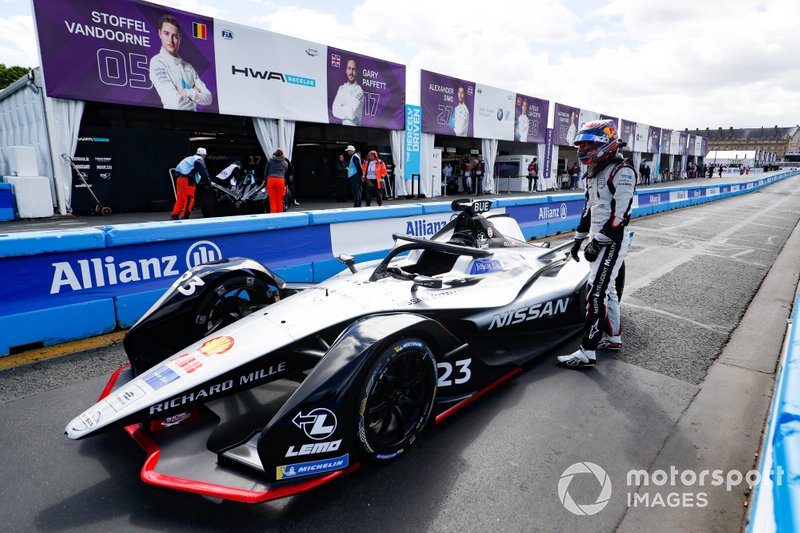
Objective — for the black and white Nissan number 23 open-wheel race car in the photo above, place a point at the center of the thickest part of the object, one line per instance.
(245, 387)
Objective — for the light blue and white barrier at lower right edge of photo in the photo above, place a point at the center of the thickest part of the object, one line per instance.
(776, 502)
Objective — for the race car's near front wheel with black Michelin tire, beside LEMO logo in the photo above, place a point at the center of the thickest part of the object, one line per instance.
(396, 400)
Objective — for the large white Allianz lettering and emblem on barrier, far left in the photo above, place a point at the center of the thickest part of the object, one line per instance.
(82, 274)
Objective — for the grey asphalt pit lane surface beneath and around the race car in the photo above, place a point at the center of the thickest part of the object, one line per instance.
(496, 465)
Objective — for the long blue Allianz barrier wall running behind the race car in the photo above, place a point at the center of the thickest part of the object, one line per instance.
(66, 285)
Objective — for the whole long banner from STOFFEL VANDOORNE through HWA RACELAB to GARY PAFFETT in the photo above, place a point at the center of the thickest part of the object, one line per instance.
(137, 53)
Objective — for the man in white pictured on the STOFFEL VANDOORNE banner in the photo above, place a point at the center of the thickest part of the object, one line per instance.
(175, 80)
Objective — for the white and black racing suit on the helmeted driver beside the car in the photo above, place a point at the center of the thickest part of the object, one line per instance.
(609, 197)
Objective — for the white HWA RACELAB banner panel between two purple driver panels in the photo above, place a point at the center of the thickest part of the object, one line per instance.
(265, 74)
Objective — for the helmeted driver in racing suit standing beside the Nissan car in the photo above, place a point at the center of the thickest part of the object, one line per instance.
(610, 186)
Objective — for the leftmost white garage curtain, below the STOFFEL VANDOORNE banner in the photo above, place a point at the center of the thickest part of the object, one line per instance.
(64, 122)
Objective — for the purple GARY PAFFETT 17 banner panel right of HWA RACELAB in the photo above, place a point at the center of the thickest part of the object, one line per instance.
(364, 91)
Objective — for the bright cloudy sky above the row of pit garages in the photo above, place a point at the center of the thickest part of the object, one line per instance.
(668, 63)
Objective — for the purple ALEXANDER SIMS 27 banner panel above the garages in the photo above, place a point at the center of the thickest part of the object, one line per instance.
(447, 104)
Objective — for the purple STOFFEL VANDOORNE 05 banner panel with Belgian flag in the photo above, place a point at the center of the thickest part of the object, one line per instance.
(127, 53)
